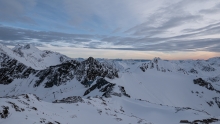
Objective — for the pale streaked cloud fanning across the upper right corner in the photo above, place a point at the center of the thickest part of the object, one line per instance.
(176, 18)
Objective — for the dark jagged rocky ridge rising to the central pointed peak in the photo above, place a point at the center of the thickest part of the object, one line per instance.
(83, 71)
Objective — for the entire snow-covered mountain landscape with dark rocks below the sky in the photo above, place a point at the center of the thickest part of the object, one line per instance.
(108, 91)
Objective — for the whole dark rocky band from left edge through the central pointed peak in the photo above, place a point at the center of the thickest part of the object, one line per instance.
(84, 71)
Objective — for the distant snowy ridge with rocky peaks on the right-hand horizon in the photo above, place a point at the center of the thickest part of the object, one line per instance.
(199, 68)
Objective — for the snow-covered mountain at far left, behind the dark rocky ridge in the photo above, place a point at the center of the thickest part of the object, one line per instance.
(32, 56)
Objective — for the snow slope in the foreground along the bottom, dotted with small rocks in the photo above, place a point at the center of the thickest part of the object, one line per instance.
(28, 109)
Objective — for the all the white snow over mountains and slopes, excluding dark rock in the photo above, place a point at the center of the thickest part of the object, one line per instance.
(162, 93)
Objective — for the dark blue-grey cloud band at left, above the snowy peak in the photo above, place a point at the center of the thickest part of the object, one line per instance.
(22, 36)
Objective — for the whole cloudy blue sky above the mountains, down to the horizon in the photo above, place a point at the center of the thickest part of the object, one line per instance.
(127, 29)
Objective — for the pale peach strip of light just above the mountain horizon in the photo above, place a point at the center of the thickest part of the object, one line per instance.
(129, 54)
